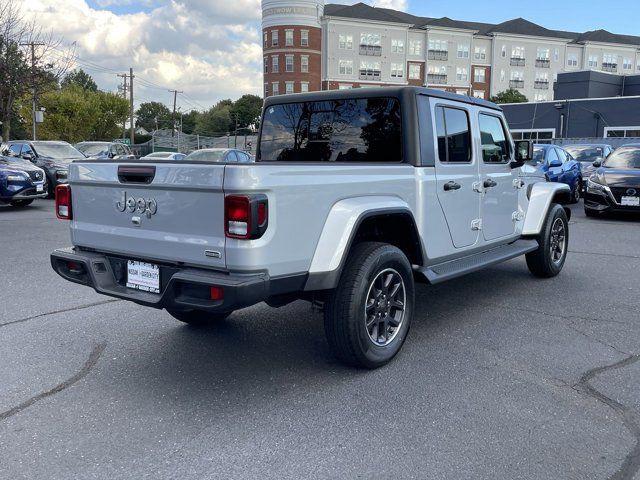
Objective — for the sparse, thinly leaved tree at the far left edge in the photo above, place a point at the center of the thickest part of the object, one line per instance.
(25, 69)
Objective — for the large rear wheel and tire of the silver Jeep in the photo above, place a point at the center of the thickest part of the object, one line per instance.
(361, 297)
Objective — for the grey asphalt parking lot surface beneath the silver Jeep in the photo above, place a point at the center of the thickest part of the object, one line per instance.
(503, 377)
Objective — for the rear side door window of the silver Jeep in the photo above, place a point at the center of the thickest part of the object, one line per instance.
(454, 136)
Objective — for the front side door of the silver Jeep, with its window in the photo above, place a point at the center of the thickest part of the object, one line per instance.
(500, 193)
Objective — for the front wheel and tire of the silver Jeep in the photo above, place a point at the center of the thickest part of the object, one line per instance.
(548, 260)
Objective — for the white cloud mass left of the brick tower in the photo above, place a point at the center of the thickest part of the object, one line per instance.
(210, 49)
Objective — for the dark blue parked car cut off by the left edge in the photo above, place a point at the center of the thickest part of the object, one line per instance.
(20, 182)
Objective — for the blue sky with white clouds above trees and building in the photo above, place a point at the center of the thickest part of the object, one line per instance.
(211, 50)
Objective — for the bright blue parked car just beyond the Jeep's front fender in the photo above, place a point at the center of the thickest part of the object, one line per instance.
(559, 166)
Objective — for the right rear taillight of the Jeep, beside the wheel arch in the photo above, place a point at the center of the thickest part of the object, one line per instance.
(245, 216)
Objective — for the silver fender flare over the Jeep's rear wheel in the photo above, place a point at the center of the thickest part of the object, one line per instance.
(338, 233)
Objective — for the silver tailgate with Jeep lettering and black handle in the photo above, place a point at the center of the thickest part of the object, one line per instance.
(161, 212)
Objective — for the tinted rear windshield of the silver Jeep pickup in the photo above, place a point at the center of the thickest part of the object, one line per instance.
(345, 130)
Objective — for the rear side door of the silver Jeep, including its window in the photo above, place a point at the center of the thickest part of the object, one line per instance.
(457, 174)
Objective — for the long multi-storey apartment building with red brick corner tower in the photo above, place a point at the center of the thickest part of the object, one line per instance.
(311, 46)
